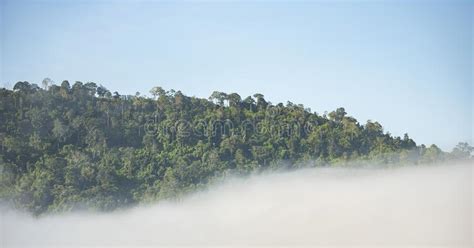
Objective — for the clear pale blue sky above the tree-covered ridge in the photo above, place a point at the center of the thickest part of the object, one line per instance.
(407, 65)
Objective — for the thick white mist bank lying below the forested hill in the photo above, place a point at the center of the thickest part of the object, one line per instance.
(410, 206)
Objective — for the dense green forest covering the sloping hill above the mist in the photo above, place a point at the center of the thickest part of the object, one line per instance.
(66, 147)
